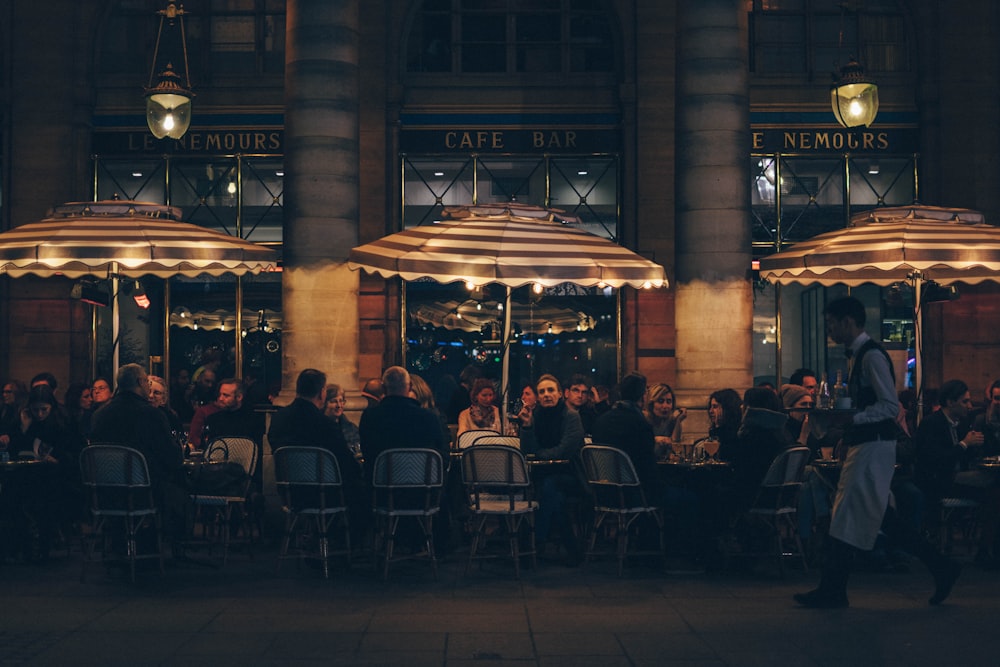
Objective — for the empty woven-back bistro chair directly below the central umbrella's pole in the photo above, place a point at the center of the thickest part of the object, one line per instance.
(497, 482)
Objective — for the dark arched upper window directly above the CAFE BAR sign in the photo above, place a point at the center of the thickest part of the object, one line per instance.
(511, 37)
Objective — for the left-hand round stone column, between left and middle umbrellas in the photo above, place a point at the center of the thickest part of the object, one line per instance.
(319, 292)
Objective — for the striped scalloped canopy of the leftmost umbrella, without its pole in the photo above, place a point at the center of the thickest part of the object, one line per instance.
(125, 239)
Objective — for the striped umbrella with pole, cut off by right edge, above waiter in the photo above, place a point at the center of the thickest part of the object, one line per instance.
(889, 245)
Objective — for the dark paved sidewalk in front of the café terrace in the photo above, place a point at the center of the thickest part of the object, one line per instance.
(246, 615)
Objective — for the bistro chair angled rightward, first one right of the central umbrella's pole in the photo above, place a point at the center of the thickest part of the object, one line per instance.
(617, 493)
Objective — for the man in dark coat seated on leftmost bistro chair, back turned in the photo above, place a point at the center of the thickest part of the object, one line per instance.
(129, 419)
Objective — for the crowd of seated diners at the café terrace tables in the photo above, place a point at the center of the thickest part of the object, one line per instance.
(552, 419)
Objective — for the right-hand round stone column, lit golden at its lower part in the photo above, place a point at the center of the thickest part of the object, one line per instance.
(714, 303)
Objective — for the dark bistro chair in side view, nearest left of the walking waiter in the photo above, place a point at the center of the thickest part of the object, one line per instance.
(776, 506)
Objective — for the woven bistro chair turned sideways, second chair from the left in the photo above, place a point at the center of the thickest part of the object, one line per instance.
(220, 508)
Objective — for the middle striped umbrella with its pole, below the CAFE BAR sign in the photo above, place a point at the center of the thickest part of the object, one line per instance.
(509, 244)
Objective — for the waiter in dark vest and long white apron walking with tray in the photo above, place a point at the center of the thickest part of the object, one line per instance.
(861, 507)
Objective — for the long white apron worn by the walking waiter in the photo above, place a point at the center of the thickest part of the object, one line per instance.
(863, 493)
